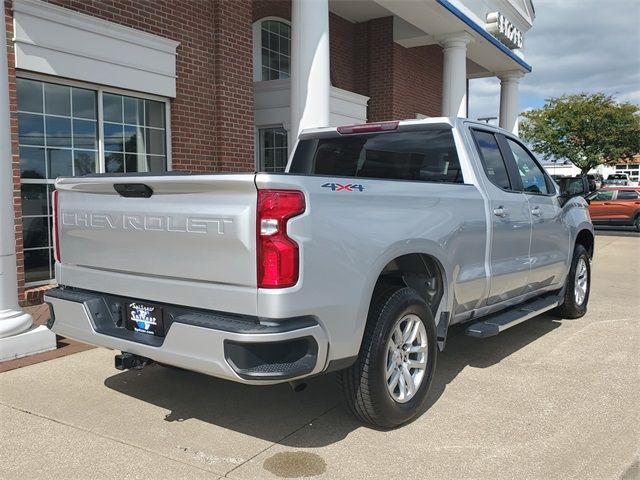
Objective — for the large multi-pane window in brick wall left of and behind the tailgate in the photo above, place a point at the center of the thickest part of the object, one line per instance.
(66, 130)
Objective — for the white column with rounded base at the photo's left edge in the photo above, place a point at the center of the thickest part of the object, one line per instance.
(18, 335)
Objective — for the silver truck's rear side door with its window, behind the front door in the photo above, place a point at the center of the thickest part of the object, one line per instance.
(510, 223)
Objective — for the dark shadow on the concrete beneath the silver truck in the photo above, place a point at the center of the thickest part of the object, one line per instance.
(274, 412)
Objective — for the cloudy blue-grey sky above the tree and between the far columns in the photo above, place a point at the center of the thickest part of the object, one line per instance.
(573, 46)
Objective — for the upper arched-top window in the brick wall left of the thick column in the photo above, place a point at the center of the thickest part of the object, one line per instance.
(275, 42)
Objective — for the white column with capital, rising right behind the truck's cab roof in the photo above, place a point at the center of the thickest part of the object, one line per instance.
(454, 74)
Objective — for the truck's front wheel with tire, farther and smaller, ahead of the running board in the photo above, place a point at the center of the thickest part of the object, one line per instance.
(578, 285)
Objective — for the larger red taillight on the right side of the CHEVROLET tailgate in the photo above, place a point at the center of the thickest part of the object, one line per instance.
(278, 256)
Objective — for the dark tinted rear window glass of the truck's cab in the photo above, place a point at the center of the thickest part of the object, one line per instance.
(427, 155)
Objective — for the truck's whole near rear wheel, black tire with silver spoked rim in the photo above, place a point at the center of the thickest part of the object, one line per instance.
(388, 384)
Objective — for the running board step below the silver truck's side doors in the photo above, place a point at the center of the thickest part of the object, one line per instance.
(496, 323)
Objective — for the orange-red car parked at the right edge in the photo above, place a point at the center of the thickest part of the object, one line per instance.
(615, 206)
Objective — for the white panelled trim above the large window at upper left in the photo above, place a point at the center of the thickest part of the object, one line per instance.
(57, 41)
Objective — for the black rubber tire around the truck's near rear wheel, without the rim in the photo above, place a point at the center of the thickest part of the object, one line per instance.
(364, 384)
